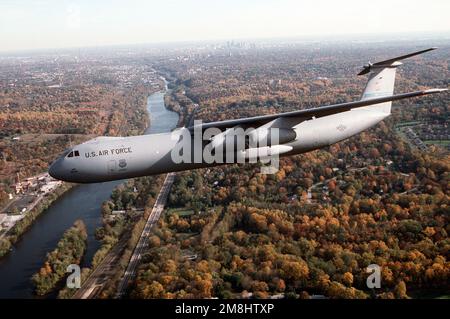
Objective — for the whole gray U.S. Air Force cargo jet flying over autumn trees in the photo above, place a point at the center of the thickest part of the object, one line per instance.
(235, 141)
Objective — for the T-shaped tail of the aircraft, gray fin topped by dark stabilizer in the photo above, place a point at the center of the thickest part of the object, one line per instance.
(382, 79)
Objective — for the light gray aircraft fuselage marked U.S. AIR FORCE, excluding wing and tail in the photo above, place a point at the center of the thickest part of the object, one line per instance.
(113, 158)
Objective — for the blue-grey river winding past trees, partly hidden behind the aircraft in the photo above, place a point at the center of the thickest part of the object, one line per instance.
(81, 202)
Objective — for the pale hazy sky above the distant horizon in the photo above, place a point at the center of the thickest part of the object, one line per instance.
(38, 24)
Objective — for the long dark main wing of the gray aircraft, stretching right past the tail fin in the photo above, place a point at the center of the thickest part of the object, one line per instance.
(307, 114)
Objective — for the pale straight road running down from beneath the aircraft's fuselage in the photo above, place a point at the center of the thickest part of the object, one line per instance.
(135, 259)
